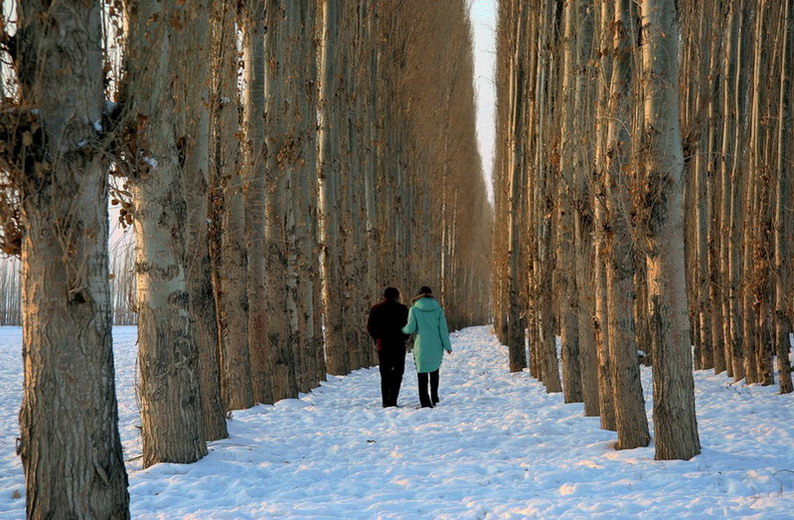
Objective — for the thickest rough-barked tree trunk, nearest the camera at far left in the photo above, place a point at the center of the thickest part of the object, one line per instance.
(69, 445)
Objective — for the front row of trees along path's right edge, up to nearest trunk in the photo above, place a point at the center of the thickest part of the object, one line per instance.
(591, 179)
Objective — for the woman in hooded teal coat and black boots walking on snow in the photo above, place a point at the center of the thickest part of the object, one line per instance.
(426, 319)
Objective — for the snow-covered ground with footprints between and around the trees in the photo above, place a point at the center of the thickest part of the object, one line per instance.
(497, 446)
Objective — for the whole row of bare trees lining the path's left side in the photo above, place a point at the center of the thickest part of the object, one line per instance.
(280, 163)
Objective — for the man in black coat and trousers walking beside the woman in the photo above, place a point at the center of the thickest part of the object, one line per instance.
(385, 321)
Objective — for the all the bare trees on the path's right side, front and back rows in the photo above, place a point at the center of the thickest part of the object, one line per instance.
(644, 201)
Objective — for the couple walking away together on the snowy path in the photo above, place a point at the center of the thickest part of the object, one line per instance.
(390, 322)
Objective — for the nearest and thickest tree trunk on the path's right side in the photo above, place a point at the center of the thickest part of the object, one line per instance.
(674, 398)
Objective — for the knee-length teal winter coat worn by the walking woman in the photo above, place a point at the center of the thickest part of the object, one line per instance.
(426, 319)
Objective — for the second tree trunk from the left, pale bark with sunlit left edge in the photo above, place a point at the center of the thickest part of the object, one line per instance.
(167, 355)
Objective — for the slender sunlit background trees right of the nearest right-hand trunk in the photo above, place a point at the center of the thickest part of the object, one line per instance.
(737, 110)
